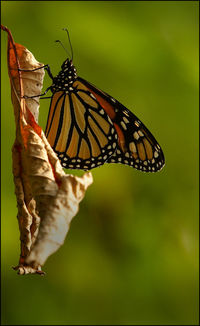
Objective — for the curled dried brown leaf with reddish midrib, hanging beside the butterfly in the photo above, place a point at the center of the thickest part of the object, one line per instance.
(47, 198)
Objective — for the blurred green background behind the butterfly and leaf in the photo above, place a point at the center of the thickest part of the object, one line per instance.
(131, 255)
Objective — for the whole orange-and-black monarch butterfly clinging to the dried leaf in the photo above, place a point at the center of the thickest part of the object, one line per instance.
(86, 127)
